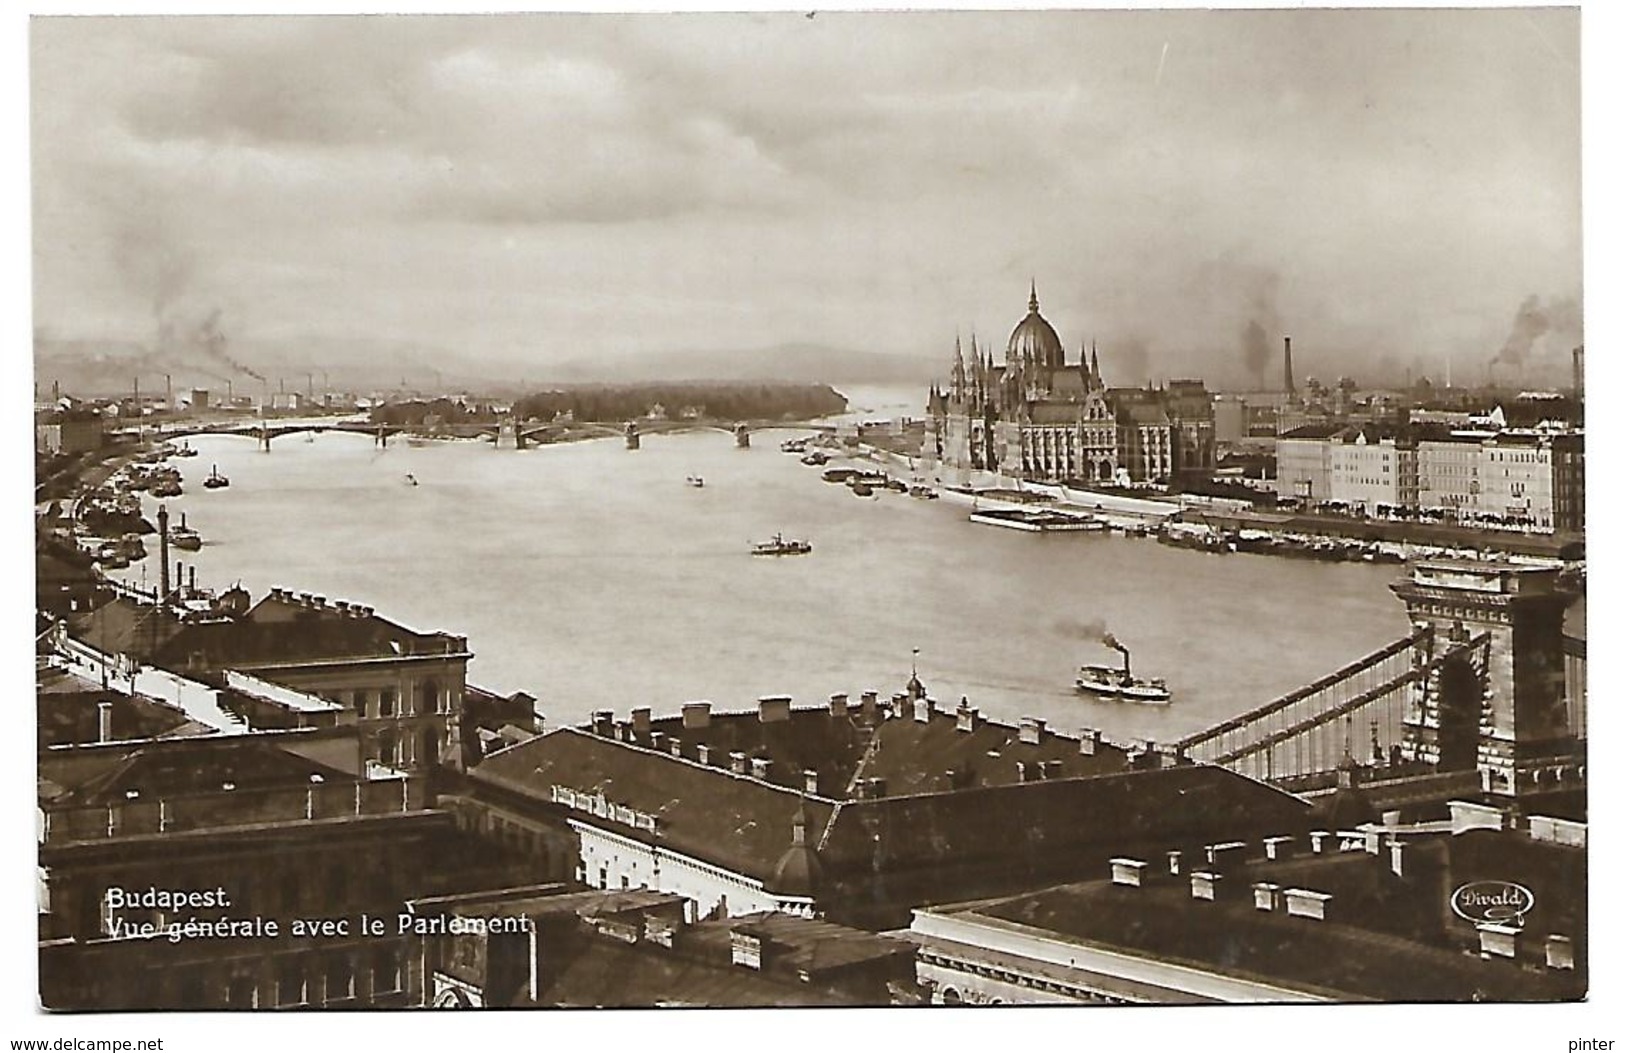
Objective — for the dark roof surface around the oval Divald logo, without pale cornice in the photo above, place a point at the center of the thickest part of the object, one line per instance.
(1385, 937)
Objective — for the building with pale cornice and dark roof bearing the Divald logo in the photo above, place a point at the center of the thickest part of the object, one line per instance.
(1367, 914)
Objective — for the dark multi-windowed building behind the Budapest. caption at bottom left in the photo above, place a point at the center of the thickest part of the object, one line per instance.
(233, 872)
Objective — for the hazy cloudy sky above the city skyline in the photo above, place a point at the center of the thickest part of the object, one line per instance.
(1389, 188)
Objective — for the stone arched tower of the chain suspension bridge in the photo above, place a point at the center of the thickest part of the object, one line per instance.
(1506, 713)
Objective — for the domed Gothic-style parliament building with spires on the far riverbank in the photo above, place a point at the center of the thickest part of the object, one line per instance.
(1036, 417)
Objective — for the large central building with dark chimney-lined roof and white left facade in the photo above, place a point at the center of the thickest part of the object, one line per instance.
(857, 813)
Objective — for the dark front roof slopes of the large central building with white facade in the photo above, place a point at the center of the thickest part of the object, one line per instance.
(745, 825)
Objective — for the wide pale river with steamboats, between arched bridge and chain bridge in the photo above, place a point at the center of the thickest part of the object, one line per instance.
(597, 578)
